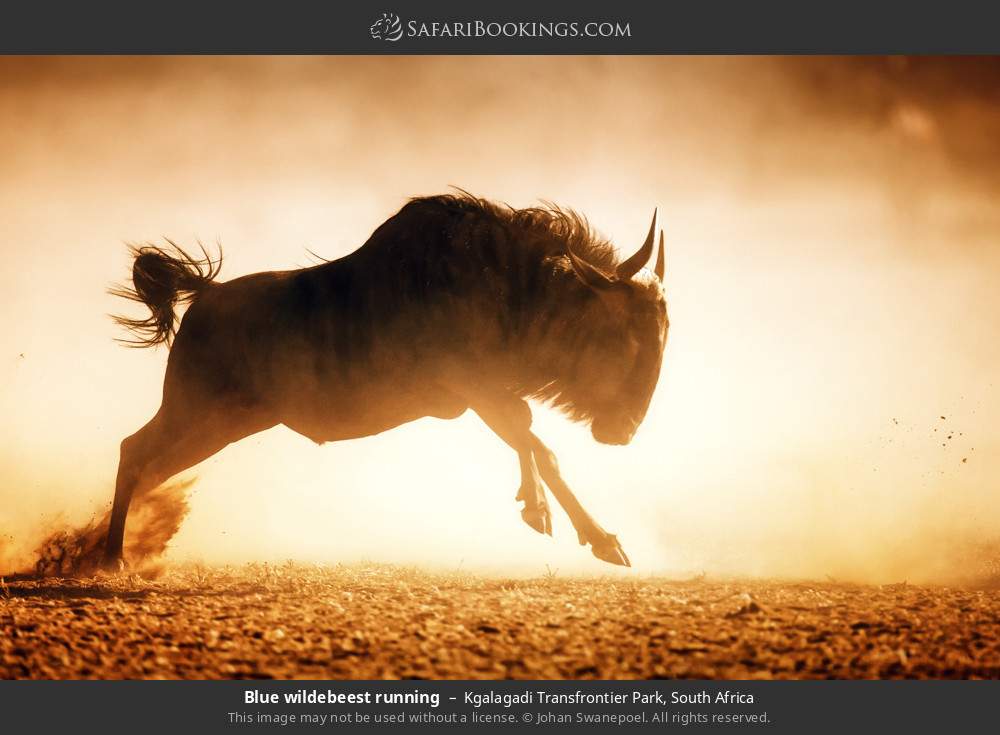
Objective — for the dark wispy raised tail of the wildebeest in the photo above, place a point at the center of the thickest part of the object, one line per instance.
(162, 278)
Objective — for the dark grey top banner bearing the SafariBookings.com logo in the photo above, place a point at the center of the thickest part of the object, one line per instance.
(512, 27)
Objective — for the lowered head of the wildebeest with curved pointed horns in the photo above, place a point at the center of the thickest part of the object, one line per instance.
(634, 307)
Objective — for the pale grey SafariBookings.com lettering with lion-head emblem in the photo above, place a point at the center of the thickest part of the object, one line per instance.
(390, 28)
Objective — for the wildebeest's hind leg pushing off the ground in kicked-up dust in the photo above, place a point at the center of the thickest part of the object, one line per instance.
(169, 444)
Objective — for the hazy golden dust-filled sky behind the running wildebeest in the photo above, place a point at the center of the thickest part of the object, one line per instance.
(832, 271)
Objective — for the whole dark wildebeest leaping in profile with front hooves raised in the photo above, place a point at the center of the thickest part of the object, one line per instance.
(453, 303)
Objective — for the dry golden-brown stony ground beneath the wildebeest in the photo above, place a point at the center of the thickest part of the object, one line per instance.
(379, 621)
